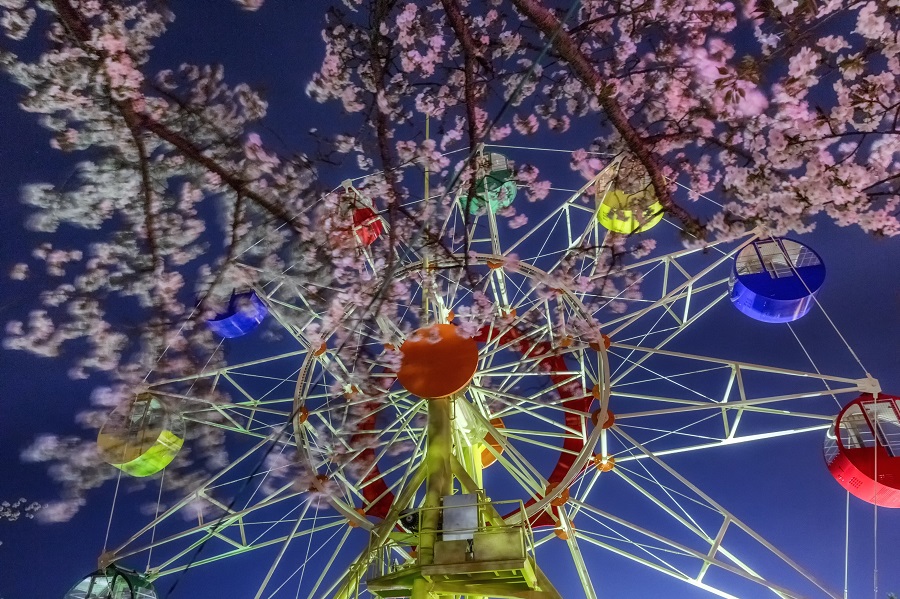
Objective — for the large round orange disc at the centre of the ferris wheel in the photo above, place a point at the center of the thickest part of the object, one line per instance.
(437, 361)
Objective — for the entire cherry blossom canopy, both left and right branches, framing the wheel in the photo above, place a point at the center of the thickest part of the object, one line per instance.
(784, 110)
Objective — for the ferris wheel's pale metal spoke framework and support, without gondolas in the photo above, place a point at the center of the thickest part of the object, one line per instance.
(561, 437)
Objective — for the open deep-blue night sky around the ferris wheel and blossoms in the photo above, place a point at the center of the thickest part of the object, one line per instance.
(781, 487)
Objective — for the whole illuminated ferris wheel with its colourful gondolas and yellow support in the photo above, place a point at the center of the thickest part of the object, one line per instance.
(506, 424)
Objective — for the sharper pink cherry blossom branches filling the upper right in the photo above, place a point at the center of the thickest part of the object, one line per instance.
(787, 110)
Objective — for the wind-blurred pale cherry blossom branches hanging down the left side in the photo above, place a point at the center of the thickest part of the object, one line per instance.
(159, 147)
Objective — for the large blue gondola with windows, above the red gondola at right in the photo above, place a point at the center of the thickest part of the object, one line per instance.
(776, 279)
